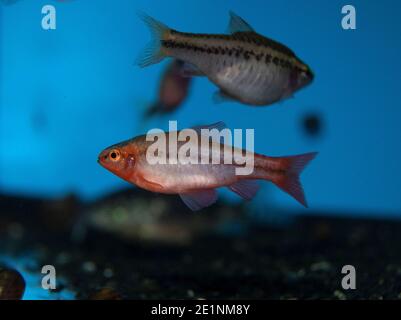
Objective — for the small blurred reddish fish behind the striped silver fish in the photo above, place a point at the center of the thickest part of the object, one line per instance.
(173, 90)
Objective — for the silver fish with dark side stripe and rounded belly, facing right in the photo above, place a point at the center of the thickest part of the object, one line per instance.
(246, 66)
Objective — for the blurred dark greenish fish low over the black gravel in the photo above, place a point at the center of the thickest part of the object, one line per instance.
(137, 215)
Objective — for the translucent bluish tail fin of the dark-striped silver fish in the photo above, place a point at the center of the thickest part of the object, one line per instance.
(152, 53)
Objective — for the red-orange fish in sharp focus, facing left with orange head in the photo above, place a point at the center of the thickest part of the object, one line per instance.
(197, 183)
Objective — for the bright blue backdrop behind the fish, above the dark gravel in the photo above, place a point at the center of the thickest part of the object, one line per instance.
(68, 93)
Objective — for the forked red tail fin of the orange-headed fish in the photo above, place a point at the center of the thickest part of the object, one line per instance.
(289, 182)
